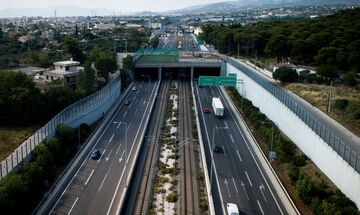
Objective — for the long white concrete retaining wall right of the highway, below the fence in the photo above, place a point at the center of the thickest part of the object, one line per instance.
(333, 165)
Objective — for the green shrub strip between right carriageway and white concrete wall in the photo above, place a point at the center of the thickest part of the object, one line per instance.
(311, 190)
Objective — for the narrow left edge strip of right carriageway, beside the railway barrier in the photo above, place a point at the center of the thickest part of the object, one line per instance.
(218, 204)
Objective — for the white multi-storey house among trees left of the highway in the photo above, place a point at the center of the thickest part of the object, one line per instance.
(64, 70)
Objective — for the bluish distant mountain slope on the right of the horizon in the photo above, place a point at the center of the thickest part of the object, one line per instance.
(230, 6)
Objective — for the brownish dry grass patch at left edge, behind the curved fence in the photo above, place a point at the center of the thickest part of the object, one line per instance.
(11, 138)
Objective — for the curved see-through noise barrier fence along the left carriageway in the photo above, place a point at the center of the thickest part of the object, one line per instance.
(87, 110)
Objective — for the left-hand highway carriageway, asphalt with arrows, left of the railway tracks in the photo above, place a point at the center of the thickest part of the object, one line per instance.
(97, 185)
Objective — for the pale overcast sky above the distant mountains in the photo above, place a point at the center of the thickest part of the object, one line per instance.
(117, 5)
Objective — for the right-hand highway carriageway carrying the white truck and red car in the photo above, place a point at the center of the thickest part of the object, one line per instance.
(237, 175)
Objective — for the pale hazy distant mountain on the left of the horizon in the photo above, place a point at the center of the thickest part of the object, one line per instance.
(50, 11)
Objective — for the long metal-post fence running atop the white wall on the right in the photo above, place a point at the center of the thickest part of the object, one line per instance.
(350, 156)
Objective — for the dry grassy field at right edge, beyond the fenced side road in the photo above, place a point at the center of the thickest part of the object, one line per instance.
(318, 96)
